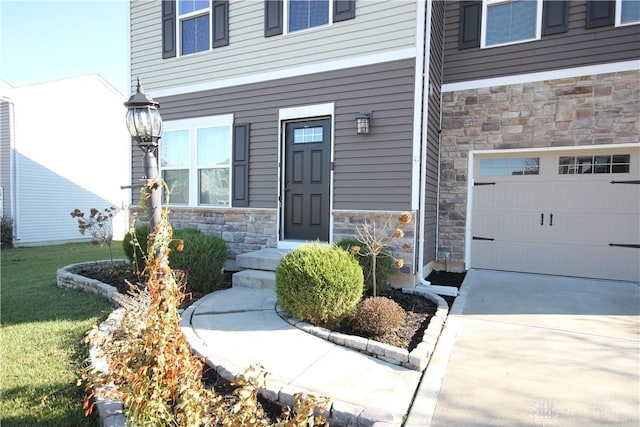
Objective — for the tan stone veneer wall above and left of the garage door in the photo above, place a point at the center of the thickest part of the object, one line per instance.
(580, 111)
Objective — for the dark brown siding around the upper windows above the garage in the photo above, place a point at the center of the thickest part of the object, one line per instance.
(577, 47)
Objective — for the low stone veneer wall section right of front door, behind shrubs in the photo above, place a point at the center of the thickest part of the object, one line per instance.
(346, 222)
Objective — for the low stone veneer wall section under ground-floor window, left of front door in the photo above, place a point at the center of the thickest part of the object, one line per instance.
(244, 230)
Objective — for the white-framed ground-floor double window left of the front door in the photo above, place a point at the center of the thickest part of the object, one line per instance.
(195, 161)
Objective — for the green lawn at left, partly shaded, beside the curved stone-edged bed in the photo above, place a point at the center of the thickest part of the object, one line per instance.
(40, 333)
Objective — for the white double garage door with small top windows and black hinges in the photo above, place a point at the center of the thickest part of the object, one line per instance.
(575, 214)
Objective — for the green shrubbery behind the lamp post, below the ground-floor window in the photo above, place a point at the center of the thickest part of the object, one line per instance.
(201, 260)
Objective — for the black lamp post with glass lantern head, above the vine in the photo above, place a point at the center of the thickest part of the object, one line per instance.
(145, 126)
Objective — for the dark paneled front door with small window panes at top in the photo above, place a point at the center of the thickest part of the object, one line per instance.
(306, 180)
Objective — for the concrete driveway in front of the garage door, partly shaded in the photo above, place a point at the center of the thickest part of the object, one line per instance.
(535, 350)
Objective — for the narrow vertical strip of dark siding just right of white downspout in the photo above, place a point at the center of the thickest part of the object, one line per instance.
(433, 130)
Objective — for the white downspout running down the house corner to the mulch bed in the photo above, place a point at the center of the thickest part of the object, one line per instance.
(422, 282)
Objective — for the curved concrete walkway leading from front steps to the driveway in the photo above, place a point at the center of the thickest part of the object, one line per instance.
(238, 327)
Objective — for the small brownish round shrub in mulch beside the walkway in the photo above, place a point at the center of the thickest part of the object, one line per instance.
(378, 316)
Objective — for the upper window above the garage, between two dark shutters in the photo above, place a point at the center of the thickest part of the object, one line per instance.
(511, 21)
